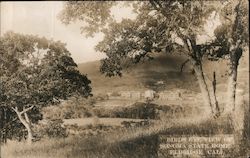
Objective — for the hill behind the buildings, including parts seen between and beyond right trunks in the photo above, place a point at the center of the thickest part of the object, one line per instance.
(165, 69)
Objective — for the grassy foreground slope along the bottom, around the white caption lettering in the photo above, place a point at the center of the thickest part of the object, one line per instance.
(125, 143)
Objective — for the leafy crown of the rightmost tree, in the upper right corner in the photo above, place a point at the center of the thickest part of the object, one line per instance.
(233, 32)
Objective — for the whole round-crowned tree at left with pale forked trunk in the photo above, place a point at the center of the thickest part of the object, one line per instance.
(36, 72)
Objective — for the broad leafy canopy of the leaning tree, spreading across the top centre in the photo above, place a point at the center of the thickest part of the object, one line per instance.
(157, 28)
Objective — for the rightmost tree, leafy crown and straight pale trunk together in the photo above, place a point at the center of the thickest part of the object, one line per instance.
(234, 39)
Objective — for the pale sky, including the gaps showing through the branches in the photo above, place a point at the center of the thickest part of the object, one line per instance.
(40, 18)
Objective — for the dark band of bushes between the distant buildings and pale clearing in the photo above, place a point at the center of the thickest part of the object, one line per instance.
(142, 110)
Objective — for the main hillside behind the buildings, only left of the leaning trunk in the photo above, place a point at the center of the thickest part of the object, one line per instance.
(164, 69)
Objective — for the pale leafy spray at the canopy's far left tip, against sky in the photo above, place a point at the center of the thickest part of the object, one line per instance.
(95, 14)
